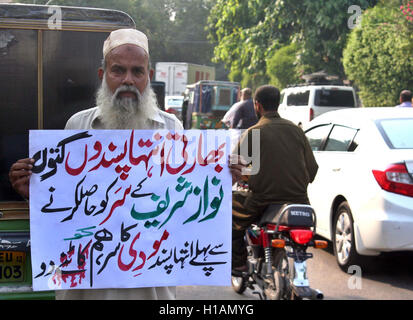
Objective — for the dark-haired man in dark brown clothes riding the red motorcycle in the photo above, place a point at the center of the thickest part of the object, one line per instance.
(286, 167)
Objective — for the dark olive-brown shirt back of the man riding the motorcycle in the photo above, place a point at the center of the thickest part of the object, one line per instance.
(286, 163)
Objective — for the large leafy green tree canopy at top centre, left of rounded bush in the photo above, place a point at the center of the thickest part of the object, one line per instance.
(247, 33)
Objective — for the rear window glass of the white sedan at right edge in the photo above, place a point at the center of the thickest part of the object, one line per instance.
(398, 133)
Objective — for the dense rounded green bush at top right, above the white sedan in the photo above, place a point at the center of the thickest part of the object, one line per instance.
(379, 56)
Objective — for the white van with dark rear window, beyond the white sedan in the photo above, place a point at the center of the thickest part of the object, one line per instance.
(301, 104)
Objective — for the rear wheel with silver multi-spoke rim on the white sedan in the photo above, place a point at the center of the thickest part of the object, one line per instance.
(343, 238)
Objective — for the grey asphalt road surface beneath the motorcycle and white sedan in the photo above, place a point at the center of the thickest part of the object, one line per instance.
(387, 277)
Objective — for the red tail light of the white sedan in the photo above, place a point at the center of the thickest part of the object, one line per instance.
(395, 179)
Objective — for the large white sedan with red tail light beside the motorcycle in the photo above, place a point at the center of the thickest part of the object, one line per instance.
(363, 191)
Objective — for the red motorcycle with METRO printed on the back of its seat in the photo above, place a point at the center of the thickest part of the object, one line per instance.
(277, 254)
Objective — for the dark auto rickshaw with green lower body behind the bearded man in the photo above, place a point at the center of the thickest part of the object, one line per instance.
(48, 72)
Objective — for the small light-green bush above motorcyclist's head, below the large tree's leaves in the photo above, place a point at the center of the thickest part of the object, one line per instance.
(281, 67)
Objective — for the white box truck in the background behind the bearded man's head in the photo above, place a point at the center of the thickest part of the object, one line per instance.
(177, 75)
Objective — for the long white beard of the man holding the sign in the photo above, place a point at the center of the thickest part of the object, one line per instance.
(126, 113)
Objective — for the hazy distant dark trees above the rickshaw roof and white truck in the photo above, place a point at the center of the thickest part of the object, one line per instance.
(175, 28)
